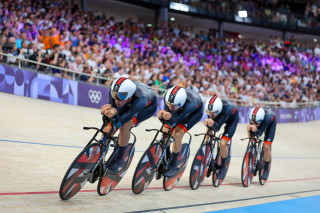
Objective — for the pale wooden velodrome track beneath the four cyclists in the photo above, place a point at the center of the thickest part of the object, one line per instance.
(39, 140)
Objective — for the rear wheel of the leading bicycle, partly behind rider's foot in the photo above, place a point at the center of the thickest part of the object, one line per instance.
(111, 180)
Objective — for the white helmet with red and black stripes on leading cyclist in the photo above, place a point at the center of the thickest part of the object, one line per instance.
(122, 88)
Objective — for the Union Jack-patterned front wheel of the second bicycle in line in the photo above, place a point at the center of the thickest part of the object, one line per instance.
(145, 170)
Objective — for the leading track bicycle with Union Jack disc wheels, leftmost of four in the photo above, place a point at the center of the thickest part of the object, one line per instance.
(90, 165)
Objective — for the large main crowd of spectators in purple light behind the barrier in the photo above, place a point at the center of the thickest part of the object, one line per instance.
(160, 56)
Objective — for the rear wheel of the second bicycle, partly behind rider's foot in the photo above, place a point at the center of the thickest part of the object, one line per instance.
(170, 182)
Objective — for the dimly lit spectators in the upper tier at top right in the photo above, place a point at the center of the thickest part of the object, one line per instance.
(303, 14)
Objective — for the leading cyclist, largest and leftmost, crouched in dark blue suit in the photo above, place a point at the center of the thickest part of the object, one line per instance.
(130, 103)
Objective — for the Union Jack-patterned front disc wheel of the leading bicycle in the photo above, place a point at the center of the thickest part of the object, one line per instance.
(80, 171)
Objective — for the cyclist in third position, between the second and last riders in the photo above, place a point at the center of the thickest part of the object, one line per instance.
(222, 112)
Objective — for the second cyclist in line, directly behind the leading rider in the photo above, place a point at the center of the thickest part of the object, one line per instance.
(183, 108)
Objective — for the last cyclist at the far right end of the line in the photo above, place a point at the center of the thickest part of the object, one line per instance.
(263, 120)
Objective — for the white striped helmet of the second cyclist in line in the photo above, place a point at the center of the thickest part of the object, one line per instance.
(176, 96)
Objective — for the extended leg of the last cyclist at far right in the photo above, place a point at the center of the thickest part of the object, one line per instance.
(269, 136)
